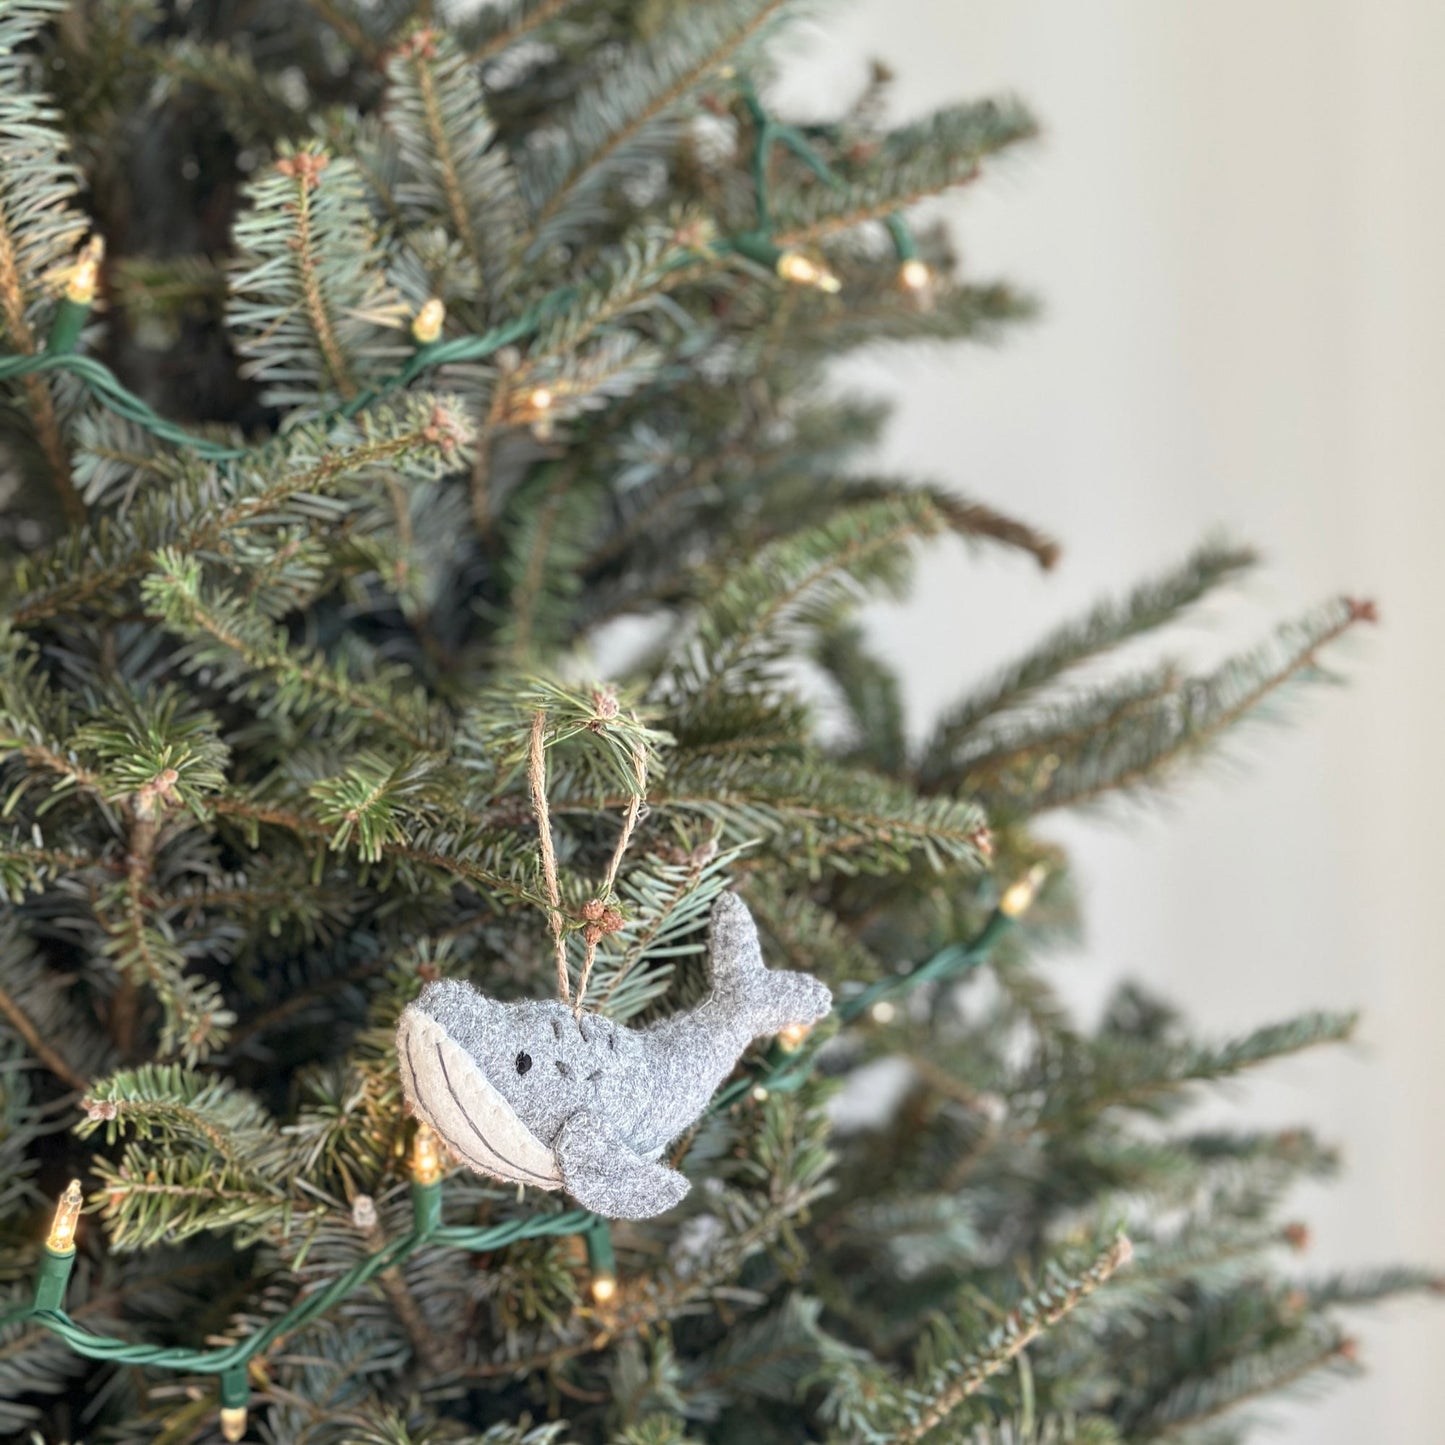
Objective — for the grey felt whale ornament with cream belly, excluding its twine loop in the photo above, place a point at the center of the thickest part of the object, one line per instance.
(534, 1093)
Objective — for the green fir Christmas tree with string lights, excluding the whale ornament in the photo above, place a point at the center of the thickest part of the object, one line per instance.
(433, 551)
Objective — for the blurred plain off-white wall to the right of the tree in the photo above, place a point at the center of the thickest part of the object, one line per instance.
(1235, 220)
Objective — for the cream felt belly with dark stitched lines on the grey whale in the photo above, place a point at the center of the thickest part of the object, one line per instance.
(447, 1090)
